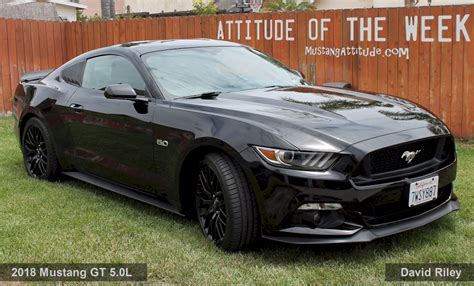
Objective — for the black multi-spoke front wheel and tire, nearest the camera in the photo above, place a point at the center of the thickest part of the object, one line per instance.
(226, 208)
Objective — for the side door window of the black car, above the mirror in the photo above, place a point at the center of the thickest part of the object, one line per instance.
(103, 71)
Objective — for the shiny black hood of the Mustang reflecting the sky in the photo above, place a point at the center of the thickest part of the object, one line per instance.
(320, 118)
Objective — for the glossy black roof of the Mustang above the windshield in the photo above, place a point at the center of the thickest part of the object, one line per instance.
(143, 47)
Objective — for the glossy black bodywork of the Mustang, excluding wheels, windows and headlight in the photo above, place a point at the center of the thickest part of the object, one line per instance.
(119, 145)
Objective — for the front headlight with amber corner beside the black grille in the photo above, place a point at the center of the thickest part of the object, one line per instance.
(316, 161)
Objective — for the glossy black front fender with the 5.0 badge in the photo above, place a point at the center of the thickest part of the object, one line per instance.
(188, 130)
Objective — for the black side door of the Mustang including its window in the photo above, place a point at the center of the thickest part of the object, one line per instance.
(112, 138)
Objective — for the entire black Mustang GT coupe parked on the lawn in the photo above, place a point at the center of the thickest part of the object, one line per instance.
(226, 134)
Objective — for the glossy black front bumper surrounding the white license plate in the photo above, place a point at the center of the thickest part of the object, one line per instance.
(368, 212)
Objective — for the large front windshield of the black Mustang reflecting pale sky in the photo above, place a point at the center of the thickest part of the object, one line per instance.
(193, 71)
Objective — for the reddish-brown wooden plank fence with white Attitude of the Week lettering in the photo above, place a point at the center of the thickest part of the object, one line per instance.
(439, 73)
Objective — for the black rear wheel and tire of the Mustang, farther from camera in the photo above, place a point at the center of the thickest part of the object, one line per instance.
(39, 156)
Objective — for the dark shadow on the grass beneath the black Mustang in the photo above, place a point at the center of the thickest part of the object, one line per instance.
(280, 253)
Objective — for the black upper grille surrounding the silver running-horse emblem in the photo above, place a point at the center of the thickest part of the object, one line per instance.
(390, 159)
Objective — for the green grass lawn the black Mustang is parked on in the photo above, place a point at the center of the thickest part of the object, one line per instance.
(74, 222)
